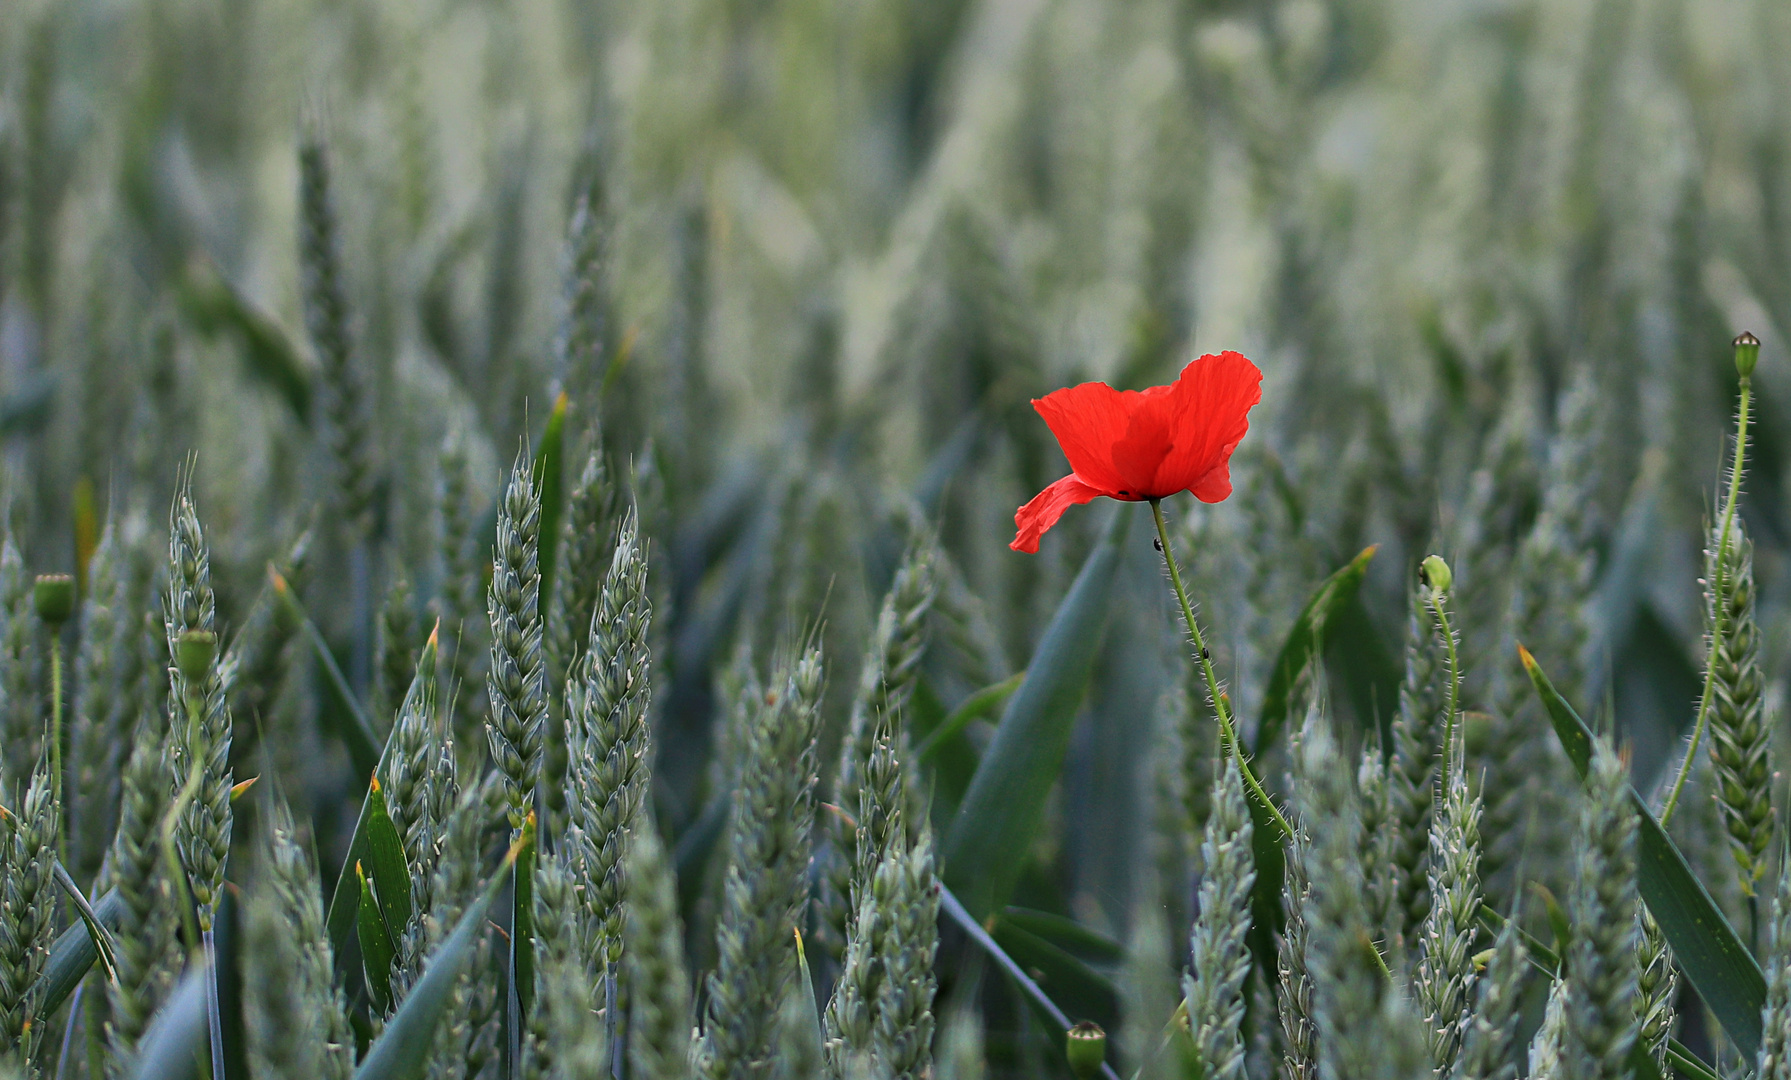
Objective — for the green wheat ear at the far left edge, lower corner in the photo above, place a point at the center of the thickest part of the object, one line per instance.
(28, 914)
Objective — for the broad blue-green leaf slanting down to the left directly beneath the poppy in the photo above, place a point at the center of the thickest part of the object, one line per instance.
(1006, 805)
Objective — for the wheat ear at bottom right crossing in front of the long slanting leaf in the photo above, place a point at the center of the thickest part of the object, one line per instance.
(1602, 964)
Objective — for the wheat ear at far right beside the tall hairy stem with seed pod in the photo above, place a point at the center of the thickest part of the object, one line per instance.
(1740, 737)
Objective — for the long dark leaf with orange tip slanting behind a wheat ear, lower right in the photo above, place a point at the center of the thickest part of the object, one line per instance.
(1720, 968)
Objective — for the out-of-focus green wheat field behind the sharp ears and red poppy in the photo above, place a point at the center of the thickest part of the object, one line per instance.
(1484, 252)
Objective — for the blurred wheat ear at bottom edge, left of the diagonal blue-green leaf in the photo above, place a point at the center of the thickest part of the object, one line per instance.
(296, 1018)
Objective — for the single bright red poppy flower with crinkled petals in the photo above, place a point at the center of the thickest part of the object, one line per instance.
(1144, 445)
